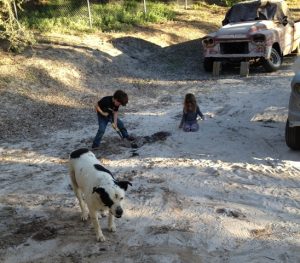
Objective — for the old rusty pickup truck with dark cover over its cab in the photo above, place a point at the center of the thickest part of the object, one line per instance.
(259, 31)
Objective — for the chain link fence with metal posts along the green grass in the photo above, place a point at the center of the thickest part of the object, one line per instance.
(93, 14)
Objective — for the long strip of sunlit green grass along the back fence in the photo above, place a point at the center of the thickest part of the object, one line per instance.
(67, 17)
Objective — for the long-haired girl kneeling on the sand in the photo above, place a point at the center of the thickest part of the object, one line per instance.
(190, 112)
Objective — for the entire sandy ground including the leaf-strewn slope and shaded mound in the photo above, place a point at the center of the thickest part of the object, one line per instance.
(227, 193)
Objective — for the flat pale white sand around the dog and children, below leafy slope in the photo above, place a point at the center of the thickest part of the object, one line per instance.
(227, 193)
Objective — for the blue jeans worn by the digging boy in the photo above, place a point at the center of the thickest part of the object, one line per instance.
(102, 122)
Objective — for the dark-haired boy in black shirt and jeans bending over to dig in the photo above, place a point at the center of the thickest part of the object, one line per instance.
(107, 111)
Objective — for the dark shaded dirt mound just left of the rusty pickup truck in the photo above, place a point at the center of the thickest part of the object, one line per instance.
(148, 60)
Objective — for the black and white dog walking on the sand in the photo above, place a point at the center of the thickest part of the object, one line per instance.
(99, 188)
